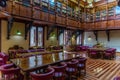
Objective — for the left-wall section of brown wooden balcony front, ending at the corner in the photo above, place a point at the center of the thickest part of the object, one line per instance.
(17, 9)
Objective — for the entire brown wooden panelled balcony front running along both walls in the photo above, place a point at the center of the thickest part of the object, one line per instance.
(31, 12)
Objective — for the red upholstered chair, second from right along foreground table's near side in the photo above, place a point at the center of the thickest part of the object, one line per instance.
(71, 69)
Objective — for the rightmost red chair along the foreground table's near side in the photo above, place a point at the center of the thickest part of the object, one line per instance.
(82, 65)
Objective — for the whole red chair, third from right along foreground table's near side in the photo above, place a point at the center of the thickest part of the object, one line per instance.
(59, 73)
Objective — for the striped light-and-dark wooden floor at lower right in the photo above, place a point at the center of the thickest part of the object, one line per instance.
(98, 69)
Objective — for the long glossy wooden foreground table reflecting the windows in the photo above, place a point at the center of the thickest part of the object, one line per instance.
(39, 61)
